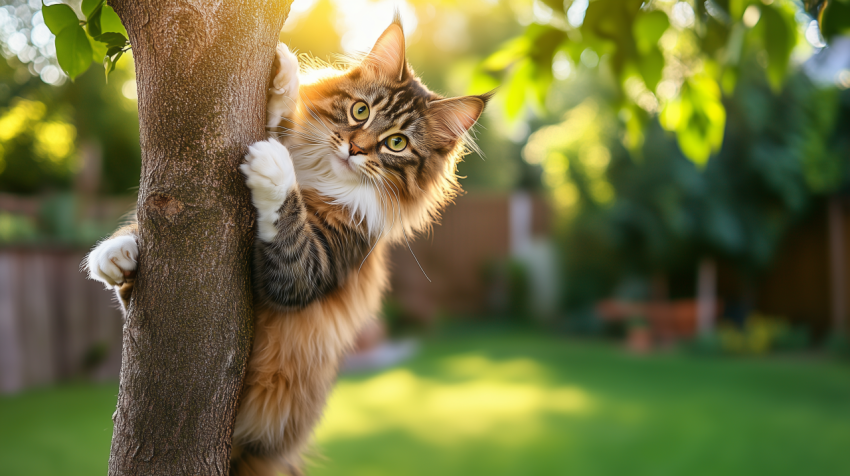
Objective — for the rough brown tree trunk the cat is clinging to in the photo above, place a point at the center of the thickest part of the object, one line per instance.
(202, 74)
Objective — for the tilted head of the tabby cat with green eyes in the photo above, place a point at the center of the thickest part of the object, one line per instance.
(377, 140)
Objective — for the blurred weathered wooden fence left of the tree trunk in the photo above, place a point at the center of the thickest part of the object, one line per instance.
(54, 324)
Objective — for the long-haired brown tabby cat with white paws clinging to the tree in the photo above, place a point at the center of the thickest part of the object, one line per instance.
(359, 158)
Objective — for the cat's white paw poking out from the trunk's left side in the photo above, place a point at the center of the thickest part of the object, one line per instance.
(113, 262)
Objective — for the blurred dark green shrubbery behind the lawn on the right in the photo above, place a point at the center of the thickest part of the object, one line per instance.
(780, 155)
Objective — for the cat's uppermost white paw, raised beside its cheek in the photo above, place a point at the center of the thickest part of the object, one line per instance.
(283, 93)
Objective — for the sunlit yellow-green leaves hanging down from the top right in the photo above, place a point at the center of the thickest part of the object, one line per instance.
(673, 59)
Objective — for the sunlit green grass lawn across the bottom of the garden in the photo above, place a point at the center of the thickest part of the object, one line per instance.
(500, 403)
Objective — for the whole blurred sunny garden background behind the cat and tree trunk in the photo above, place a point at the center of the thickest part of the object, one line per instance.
(648, 274)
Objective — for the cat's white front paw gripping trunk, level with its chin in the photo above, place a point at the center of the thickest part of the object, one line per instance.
(270, 176)
